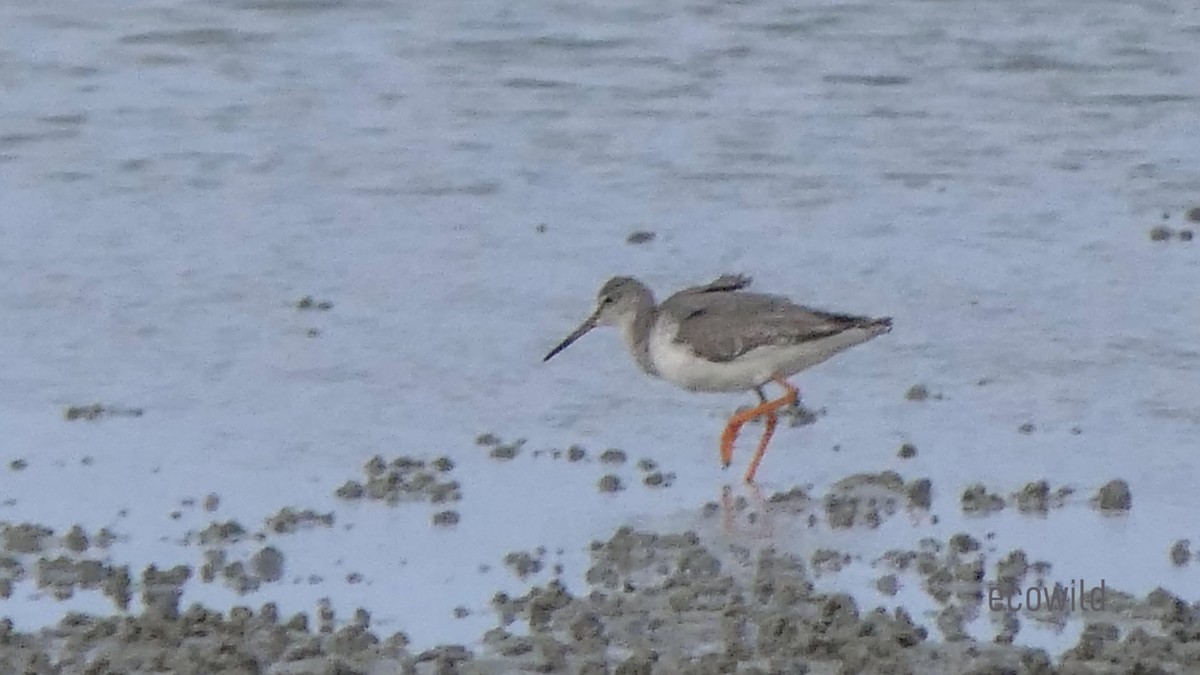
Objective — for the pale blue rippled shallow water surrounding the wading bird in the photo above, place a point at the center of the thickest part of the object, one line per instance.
(175, 176)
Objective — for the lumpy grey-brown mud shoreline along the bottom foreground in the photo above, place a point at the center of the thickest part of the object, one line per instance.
(655, 602)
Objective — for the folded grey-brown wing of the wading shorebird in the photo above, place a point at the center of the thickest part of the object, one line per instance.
(722, 327)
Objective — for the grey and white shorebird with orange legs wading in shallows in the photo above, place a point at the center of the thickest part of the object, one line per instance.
(721, 338)
